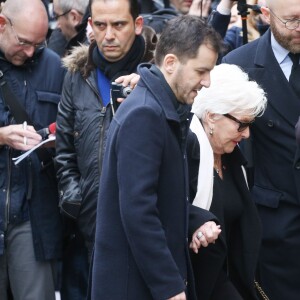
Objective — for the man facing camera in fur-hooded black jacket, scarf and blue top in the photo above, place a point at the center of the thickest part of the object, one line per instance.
(85, 112)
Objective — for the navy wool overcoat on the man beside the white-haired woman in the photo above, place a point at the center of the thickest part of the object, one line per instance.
(141, 248)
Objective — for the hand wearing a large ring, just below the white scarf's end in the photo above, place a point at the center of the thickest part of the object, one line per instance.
(205, 235)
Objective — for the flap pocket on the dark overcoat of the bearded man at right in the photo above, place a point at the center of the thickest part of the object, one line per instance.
(266, 197)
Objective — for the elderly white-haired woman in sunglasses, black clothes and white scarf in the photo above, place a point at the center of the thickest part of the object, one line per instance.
(223, 114)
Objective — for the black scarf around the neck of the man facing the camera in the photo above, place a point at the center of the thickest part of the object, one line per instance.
(124, 66)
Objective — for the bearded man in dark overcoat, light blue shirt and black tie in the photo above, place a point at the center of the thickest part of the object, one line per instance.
(276, 188)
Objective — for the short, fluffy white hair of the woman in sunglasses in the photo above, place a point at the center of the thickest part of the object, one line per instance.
(230, 91)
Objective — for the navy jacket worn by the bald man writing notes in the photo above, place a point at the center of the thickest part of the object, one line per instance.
(27, 191)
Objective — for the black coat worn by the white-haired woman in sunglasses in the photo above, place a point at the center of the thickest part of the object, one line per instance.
(241, 253)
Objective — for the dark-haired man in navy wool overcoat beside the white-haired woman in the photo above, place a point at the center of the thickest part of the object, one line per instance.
(141, 247)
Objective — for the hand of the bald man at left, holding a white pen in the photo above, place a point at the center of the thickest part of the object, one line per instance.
(15, 136)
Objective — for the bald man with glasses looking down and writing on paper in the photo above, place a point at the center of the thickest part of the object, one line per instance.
(30, 222)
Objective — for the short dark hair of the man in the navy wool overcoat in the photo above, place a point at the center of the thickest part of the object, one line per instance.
(183, 36)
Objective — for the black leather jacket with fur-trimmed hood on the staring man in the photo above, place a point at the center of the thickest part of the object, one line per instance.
(82, 124)
